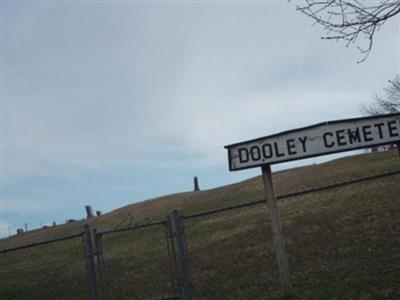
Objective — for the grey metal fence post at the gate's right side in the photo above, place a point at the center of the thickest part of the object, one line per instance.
(185, 286)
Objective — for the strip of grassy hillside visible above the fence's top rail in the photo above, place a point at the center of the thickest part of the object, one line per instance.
(340, 169)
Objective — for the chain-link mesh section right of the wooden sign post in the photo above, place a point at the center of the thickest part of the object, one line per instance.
(341, 249)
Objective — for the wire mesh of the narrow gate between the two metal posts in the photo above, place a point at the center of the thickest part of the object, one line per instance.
(140, 266)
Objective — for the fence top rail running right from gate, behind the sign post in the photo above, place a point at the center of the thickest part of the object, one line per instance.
(298, 193)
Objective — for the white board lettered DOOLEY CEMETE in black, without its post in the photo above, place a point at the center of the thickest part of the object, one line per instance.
(323, 138)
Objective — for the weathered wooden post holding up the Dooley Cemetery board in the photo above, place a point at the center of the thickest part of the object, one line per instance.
(279, 244)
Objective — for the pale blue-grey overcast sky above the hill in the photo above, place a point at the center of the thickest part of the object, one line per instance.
(112, 102)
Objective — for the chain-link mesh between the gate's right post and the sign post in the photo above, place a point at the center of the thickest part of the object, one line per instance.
(230, 256)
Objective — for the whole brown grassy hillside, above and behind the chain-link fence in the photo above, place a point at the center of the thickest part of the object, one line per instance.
(342, 243)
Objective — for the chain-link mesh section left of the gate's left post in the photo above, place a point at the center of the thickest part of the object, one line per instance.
(50, 271)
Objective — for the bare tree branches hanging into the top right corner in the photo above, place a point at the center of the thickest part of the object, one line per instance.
(350, 19)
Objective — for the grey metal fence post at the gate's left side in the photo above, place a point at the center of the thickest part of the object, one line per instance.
(89, 260)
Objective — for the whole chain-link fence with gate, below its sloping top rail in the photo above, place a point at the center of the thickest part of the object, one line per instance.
(224, 253)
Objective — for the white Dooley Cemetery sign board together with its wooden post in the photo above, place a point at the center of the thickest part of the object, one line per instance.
(324, 138)
